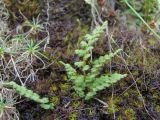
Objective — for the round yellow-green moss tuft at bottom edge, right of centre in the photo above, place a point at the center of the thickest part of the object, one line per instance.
(130, 114)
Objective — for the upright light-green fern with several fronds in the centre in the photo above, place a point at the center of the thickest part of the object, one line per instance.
(91, 81)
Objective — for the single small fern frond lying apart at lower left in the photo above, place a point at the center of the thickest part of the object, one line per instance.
(44, 102)
